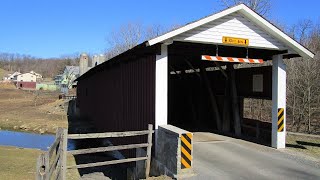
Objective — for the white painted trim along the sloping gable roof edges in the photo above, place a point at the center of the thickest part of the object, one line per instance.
(247, 12)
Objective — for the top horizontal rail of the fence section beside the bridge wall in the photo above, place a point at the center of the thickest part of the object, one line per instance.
(107, 135)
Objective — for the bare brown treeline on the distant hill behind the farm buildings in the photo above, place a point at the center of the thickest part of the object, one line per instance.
(48, 68)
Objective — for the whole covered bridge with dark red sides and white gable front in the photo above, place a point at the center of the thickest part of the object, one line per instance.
(190, 78)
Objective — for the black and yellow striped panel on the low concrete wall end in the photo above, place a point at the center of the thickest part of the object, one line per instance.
(186, 149)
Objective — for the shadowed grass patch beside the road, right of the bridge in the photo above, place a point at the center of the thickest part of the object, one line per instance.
(307, 145)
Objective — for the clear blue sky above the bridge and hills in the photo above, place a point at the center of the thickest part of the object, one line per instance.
(54, 28)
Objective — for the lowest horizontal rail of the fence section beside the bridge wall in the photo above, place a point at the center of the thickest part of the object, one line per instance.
(107, 163)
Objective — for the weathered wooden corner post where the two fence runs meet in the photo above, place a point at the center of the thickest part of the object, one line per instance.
(63, 159)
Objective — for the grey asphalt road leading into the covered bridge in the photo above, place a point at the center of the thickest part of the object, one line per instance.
(217, 157)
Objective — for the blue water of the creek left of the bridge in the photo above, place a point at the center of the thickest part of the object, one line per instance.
(29, 140)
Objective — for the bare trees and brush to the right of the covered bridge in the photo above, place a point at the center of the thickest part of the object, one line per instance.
(303, 89)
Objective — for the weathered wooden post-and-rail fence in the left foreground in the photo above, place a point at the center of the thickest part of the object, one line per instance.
(52, 164)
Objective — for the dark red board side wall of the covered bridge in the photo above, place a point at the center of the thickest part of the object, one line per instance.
(120, 97)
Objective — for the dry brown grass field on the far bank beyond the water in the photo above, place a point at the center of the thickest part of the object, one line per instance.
(25, 111)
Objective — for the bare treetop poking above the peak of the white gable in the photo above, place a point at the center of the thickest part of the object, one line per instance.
(262, 7)
